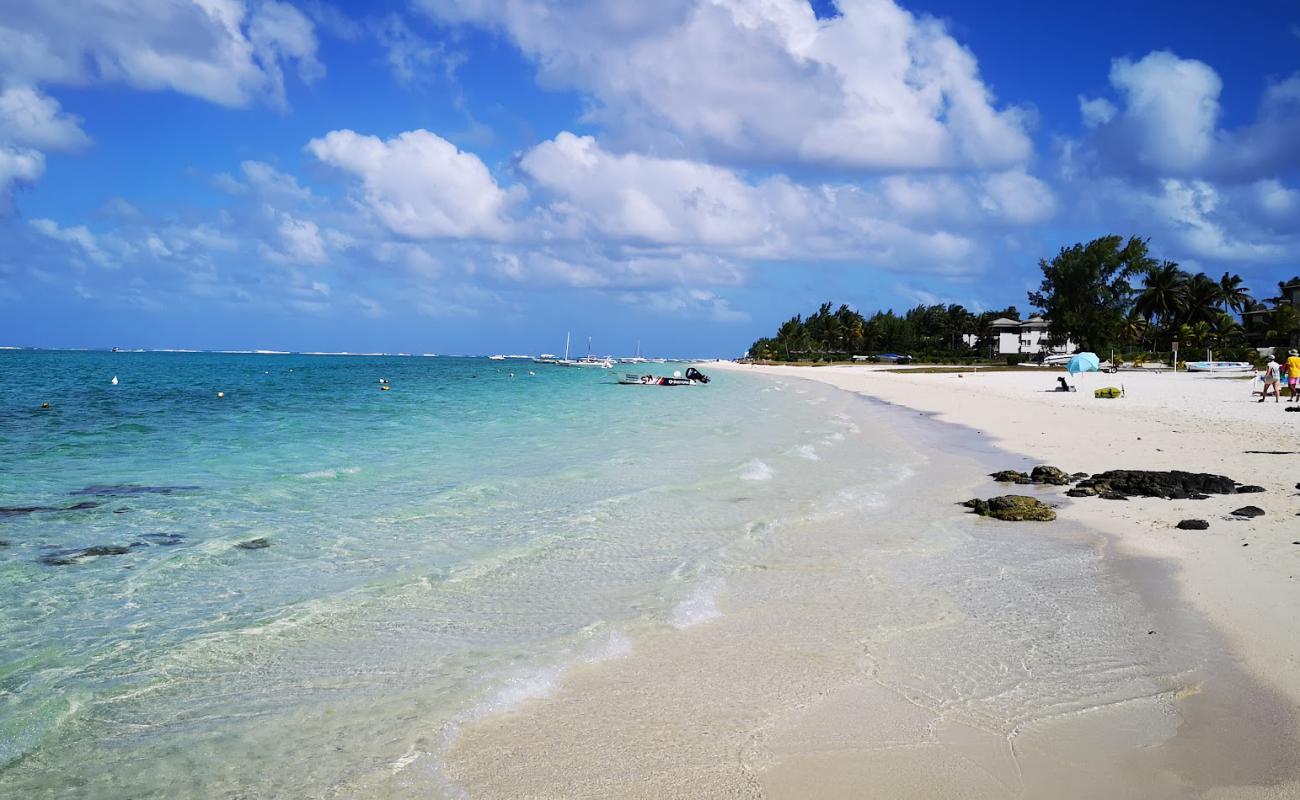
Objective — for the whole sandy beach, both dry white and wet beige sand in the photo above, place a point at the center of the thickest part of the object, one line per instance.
(1121, 659)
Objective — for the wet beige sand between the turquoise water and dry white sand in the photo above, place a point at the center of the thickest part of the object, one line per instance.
(912, 651)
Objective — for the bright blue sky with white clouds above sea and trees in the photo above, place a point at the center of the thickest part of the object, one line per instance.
(488, 176)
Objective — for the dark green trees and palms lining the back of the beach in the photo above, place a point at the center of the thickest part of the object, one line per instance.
(1107, 295)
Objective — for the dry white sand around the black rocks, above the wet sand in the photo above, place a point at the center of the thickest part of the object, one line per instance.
(1241, 577)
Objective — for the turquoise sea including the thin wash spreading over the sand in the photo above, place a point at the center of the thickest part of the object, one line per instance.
(313, 587)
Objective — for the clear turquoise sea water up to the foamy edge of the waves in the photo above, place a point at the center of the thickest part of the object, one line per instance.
(437, 552)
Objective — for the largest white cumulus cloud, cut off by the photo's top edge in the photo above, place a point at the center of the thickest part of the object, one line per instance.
(876, 88)
